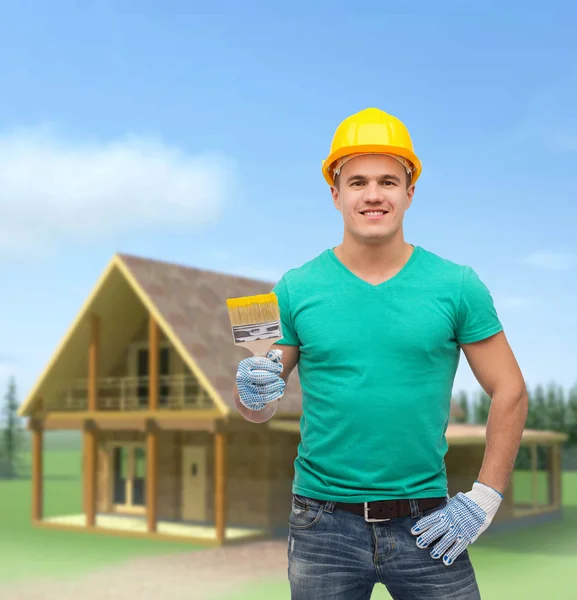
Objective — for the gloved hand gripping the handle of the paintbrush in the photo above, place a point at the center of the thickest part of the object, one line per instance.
(258, 380)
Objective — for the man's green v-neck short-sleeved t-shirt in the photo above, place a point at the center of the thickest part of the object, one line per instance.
(377, 366)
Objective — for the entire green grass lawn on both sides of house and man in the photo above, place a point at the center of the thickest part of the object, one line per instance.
(530, 564)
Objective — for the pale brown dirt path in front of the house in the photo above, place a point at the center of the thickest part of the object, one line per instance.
(199, 575)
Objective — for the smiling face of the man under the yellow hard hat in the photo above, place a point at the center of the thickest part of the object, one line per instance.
(373, 196)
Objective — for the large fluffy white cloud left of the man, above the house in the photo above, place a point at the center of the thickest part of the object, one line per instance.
(53, 190)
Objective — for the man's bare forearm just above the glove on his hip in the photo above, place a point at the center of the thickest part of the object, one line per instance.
(507, 418)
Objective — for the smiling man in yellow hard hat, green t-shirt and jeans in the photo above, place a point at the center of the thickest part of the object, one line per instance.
(376, 326)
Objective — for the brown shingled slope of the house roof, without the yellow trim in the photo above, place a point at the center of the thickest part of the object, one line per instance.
(193, 303)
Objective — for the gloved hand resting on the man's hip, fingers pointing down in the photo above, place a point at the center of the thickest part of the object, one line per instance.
(464, 518)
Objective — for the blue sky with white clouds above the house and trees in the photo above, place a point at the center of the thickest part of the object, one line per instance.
(160, 129)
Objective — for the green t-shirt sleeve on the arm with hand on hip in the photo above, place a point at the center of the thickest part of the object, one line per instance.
(477, 318)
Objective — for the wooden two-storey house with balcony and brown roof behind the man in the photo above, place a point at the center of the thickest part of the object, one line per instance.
(146, 372)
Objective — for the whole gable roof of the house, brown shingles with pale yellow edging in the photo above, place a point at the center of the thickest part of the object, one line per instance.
(190, 306)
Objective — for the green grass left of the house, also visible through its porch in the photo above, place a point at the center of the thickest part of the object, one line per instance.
(27, 552)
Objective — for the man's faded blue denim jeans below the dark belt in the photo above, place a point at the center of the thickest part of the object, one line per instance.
(337, 555)
